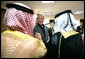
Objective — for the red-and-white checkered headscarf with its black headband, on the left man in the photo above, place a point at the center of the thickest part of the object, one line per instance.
(19, 17)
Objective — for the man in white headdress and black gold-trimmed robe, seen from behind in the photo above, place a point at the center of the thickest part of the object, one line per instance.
(65, 38)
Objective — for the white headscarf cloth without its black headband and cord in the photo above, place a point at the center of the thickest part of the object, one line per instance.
(61, 21)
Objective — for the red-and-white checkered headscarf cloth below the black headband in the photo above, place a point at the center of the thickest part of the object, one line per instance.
(19, 20)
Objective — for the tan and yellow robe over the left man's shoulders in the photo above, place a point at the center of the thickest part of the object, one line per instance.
(15, 44)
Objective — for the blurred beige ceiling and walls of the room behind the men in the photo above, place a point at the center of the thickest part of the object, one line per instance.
(50, 9)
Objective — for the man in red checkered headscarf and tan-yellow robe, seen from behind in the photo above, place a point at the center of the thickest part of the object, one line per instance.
(17, 40)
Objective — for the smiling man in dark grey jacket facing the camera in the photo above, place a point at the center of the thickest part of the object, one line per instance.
(40, 31)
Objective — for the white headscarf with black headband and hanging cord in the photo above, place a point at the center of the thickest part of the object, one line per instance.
(64, 22)
